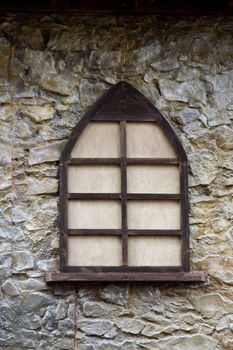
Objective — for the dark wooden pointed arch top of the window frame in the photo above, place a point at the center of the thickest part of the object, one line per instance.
(123, 102)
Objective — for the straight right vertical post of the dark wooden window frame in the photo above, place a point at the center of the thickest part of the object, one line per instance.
(184, 216)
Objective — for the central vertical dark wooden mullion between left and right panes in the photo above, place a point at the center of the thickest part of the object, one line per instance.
(123, 194)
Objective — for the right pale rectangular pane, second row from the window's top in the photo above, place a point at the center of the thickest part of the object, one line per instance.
(153, 179)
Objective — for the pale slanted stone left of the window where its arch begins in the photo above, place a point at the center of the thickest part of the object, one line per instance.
(48, 153)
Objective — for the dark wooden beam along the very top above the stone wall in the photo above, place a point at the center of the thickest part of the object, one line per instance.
(122, 7)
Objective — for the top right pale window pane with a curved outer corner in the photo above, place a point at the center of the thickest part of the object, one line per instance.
(147, 140)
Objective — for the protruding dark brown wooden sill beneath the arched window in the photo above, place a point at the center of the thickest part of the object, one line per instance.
(126, 277)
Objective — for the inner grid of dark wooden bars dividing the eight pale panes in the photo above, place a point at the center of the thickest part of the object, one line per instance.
(123, 162)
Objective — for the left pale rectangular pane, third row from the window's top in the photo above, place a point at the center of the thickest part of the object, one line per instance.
(94, 214)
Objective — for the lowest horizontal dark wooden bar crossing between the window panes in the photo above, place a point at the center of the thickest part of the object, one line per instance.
(117, 232)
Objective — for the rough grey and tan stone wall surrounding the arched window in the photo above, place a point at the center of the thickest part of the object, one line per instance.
(51, 69)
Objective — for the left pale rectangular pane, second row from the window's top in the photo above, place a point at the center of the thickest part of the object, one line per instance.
(94, 179)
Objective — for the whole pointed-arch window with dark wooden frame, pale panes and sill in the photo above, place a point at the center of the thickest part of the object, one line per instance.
(124, 195)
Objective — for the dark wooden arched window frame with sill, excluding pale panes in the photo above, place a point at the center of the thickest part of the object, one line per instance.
(124, 103)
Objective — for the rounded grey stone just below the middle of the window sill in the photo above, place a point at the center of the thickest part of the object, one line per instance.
(115, 294)
